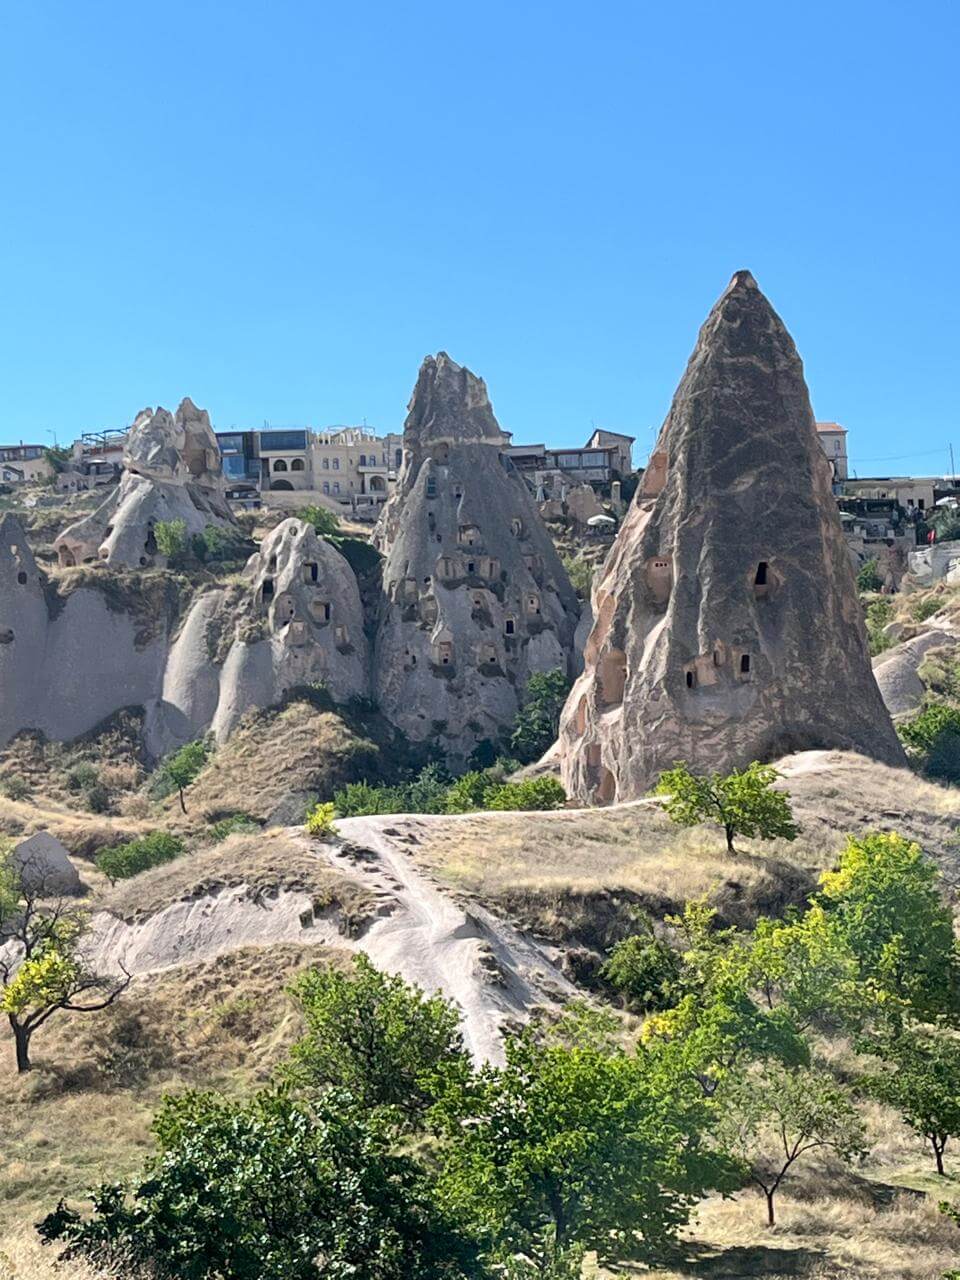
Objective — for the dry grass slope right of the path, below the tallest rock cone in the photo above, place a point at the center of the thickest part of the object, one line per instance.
(578, 875)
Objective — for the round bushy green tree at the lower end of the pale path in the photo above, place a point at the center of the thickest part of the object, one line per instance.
(377, 1036)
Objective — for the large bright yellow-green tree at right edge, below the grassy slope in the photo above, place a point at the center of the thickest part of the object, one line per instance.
(886, 907)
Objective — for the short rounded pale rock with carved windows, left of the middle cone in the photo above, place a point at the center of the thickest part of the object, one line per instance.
(296, 621)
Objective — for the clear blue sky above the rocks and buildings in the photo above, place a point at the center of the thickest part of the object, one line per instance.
(281, 208)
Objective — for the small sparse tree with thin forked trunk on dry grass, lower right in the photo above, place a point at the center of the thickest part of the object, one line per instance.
(779, 1114)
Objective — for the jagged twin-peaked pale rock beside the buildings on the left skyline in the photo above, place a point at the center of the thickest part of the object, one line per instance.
(172, 472)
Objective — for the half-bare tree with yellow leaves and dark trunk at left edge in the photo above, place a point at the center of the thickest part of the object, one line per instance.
(43, 967)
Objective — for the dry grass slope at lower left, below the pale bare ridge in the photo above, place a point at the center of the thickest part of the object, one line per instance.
(84, 1114)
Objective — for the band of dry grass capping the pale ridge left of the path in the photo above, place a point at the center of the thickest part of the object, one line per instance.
(266, 862)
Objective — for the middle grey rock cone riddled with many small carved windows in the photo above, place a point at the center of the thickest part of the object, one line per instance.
(476, 597)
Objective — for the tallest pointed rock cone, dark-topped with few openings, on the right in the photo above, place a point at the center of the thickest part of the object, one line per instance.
(728, 627)
